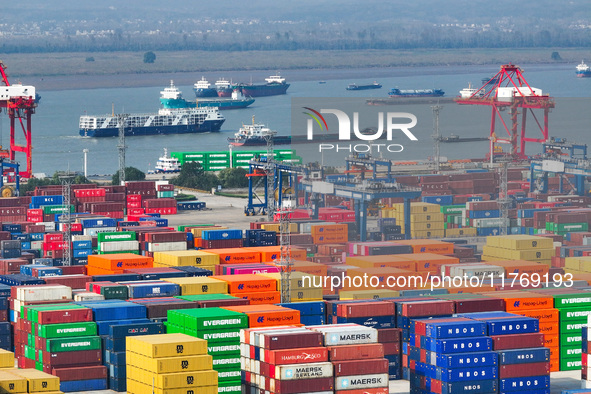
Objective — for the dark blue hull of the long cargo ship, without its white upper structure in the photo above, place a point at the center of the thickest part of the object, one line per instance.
(206, 126)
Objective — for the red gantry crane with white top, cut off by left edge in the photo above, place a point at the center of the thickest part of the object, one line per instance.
(20, 103)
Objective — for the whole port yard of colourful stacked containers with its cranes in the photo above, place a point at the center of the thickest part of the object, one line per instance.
(380, 276)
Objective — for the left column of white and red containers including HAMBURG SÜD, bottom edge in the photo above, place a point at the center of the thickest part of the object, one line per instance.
(285, 359)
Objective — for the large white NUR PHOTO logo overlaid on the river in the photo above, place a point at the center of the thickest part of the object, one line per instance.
(348, 129)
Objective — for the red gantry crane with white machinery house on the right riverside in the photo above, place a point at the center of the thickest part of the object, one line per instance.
(508, 89)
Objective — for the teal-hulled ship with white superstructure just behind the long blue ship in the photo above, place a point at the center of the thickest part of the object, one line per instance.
(172, 98)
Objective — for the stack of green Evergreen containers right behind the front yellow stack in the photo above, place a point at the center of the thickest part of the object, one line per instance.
(221, 329)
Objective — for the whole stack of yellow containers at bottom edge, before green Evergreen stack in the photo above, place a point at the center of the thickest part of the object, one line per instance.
(169, 363)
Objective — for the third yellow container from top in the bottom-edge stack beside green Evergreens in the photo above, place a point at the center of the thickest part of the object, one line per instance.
(174, 380)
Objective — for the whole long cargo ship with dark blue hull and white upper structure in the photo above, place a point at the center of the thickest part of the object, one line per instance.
(165, 121)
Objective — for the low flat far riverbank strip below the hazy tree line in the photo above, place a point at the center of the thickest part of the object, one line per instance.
(70, 71)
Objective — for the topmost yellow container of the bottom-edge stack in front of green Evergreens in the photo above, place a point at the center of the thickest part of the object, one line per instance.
(166, 345)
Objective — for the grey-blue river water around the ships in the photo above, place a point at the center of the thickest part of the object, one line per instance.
(57, 145)
